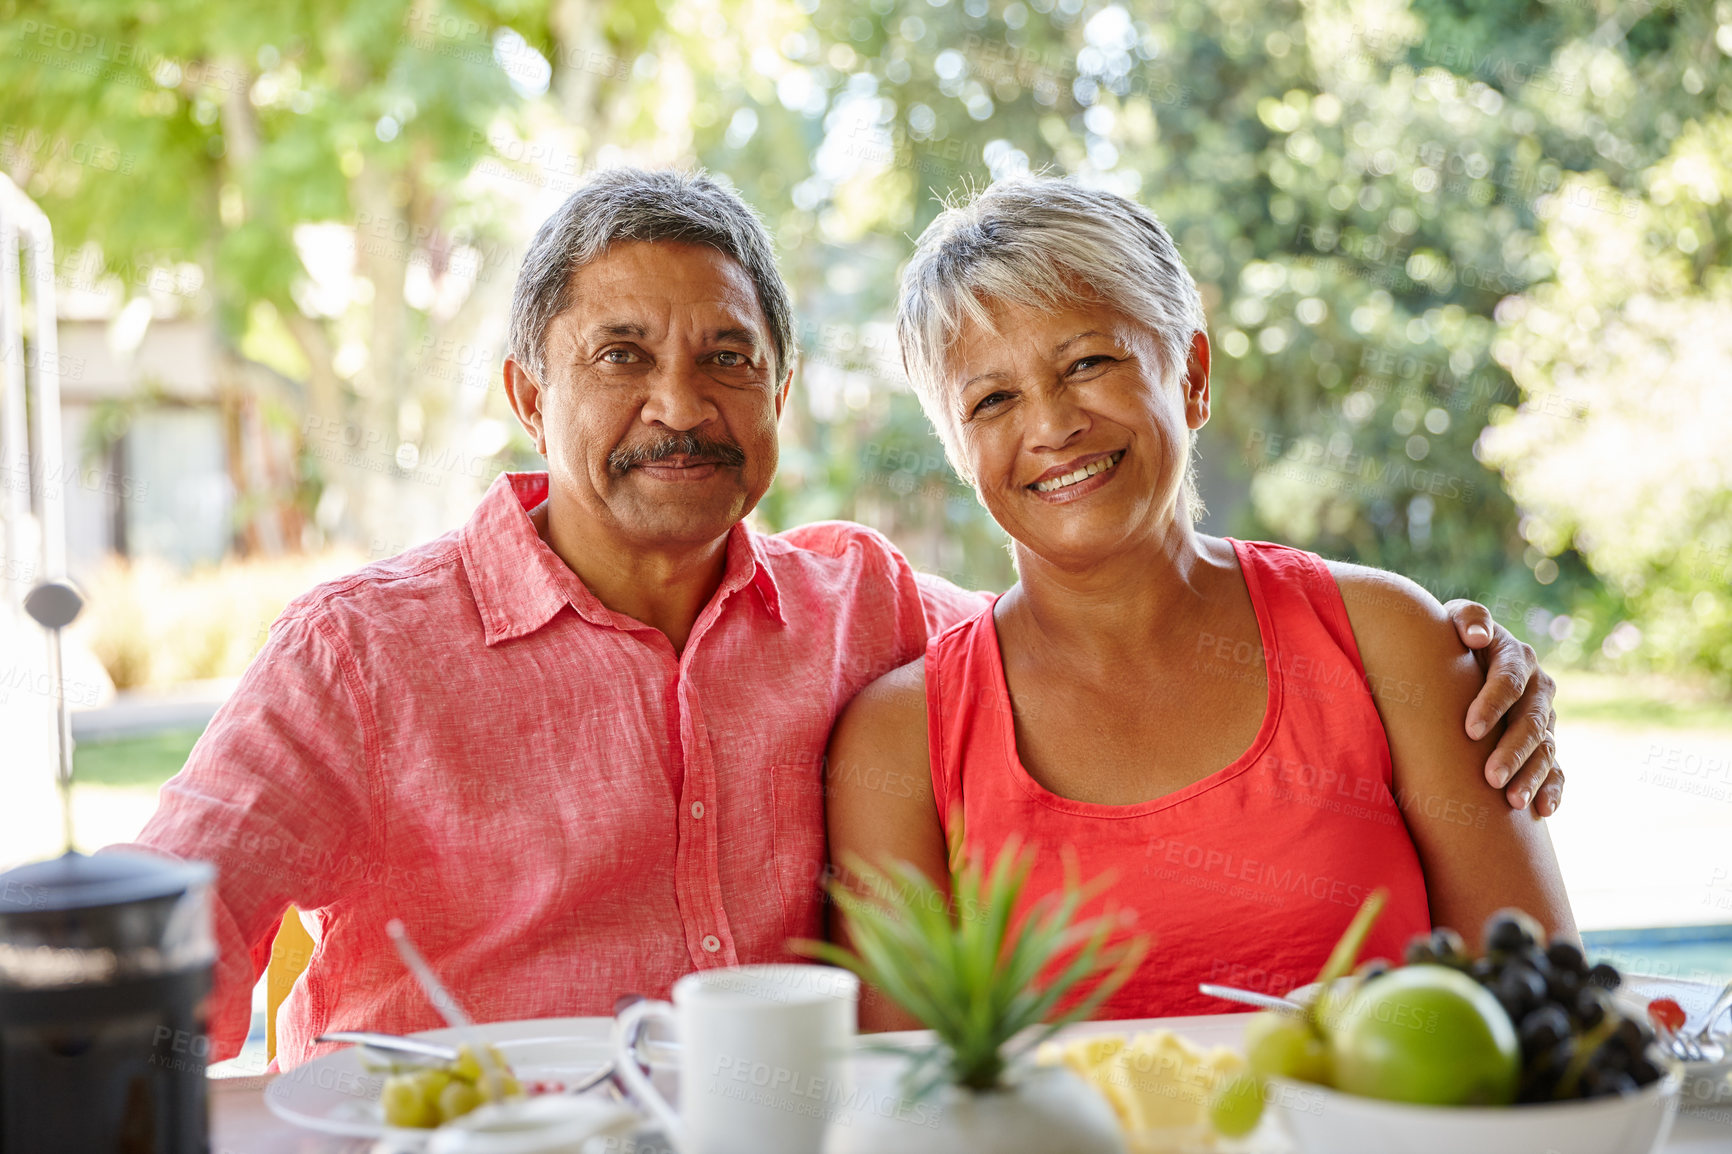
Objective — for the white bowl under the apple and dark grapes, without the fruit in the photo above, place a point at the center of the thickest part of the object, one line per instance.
(1328, 1122)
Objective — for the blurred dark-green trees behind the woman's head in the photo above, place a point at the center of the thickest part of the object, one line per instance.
(1355, 185)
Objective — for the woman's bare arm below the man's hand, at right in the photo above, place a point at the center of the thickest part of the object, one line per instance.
(1477, 852)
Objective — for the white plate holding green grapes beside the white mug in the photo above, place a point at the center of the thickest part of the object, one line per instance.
(333, 1094)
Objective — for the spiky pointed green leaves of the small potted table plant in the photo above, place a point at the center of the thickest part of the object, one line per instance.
(983, 975)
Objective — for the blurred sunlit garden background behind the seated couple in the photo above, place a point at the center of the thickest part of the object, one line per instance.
(1468, 271)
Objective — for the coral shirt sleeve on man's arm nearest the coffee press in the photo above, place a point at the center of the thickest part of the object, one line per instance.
(276, 796)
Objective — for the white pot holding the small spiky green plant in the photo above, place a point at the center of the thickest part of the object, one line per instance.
(1044, 1112)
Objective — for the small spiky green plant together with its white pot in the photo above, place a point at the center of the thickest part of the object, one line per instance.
(992, 985)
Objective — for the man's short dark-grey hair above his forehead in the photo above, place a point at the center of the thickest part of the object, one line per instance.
(623, 205)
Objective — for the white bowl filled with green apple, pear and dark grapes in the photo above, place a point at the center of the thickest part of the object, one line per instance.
(1518, 1051)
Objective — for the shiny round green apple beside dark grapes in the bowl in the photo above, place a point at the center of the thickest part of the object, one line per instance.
(1426, 1035)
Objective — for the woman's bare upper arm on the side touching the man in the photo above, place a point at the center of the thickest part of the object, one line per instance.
(879, 801)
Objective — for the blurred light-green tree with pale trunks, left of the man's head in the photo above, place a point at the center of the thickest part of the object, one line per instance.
(314, 165)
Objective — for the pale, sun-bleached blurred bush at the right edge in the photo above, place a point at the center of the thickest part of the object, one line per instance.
(1627, 351)
